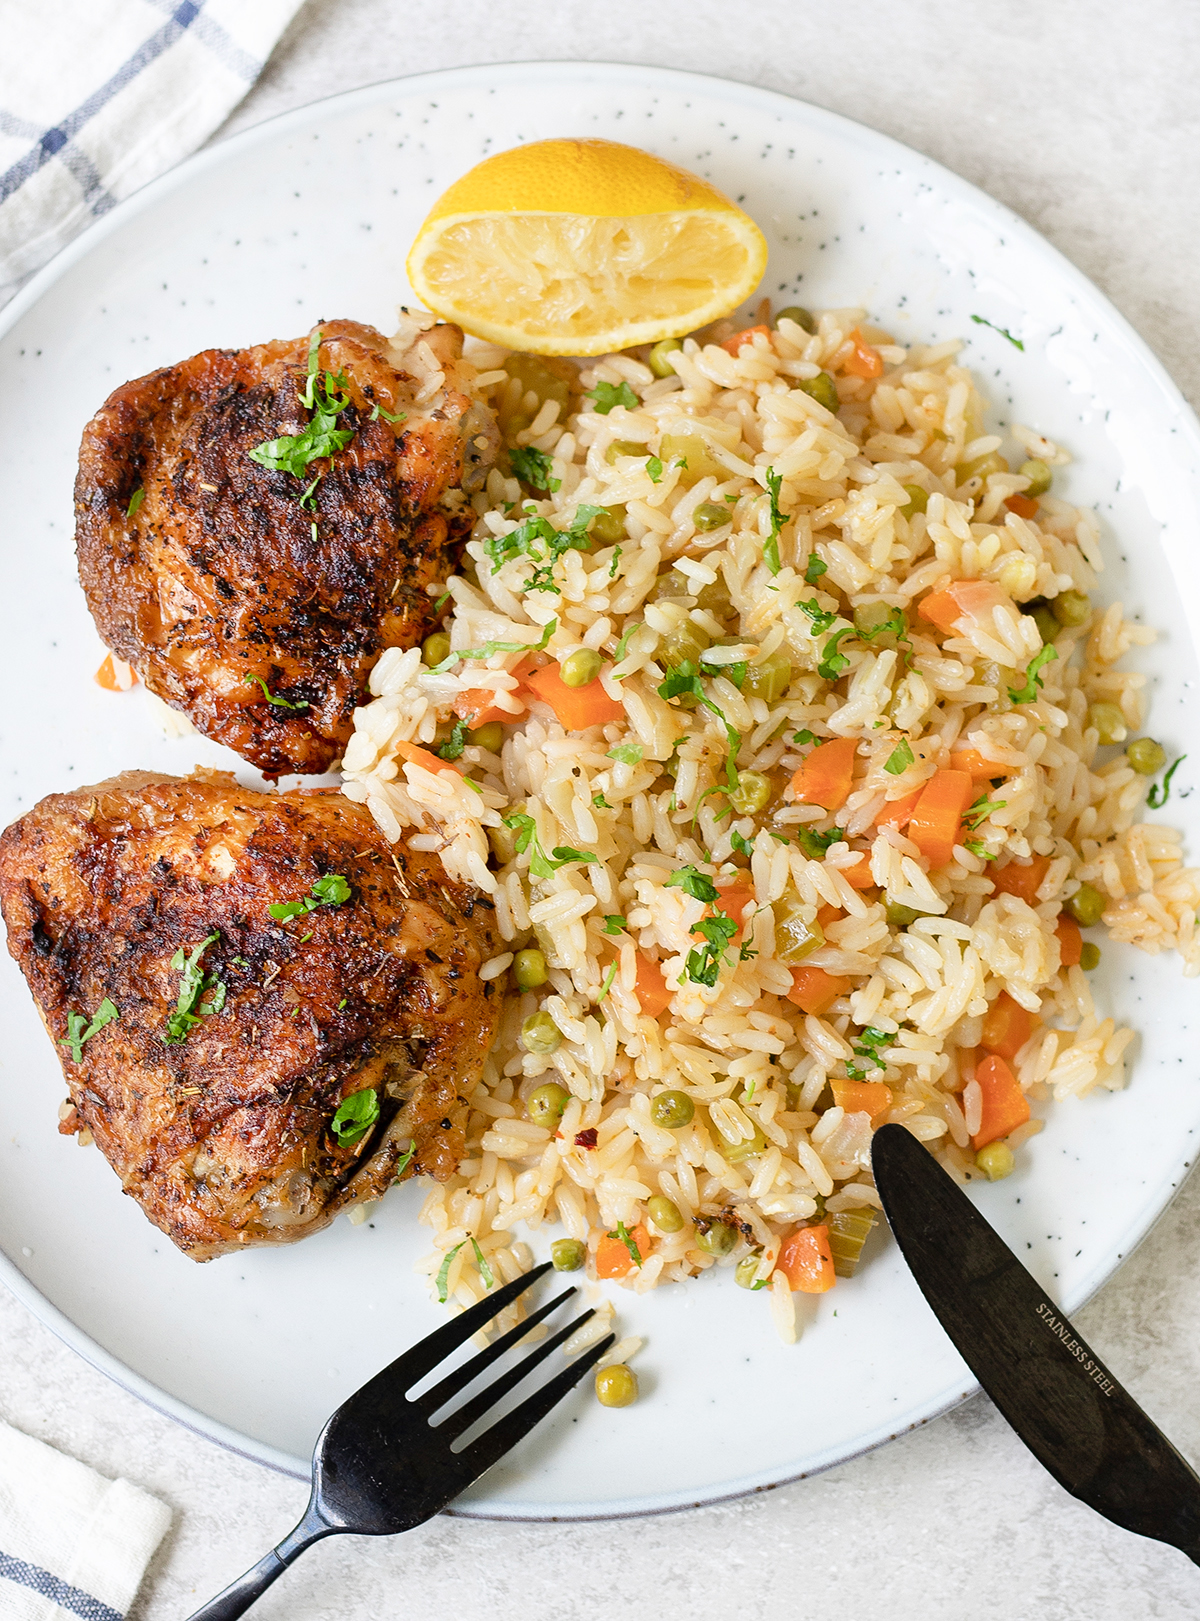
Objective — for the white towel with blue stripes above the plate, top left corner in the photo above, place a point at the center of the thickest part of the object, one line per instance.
(101, 96)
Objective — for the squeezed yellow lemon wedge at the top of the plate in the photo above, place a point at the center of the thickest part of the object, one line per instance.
(581, 249)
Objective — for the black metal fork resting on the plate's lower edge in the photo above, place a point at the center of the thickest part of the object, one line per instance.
(380, 1466)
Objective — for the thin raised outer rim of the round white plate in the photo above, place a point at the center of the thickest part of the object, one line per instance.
(786, 106)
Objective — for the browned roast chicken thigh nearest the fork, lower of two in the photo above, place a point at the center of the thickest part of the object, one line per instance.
(225, 1139)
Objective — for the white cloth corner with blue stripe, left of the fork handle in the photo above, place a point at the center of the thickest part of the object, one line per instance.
(72, 1544)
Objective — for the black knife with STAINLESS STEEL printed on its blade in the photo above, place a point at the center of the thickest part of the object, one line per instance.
(1044, 1377)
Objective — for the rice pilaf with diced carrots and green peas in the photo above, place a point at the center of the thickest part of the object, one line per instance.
(750, 567)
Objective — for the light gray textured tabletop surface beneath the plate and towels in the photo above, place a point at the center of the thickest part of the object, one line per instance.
(1084, 119)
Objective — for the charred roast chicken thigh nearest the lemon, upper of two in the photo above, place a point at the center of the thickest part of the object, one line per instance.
(220, 573)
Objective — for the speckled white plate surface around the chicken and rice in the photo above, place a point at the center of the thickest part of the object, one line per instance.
(311, 218)
